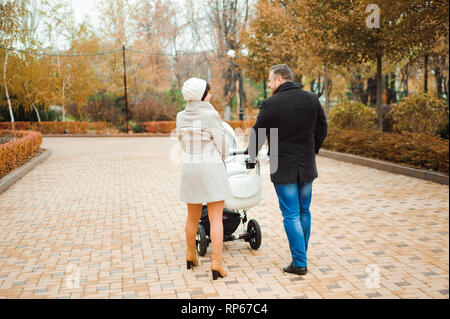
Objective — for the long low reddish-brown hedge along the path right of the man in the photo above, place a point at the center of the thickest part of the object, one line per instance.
(416, 150)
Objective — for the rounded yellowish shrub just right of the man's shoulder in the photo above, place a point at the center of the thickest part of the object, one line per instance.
(352, 115)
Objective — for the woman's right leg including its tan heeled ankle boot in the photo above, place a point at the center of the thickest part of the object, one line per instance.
(215, 212)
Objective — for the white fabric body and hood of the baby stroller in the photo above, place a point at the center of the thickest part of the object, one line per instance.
(245, 187)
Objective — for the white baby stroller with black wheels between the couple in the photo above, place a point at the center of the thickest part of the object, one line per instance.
(246, 189)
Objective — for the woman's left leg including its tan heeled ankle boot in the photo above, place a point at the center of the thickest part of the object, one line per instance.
(194, 214)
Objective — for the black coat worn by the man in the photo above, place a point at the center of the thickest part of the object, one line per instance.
(302, 128)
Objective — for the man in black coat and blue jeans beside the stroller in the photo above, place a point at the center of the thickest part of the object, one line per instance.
(302, 127)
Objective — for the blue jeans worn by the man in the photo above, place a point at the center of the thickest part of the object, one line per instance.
(294, 200)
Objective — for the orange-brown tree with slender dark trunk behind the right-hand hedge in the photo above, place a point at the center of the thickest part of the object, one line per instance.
(361, 38)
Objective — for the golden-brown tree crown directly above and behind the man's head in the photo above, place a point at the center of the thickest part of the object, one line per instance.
(287, 32)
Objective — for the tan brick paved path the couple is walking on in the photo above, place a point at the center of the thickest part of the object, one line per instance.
(106, 211)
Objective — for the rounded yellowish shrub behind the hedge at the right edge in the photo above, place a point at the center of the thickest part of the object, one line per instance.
(420, 113)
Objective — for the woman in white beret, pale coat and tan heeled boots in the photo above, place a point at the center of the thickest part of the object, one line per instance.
(203, 178)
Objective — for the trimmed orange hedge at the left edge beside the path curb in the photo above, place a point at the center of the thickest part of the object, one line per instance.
(15, 153)
